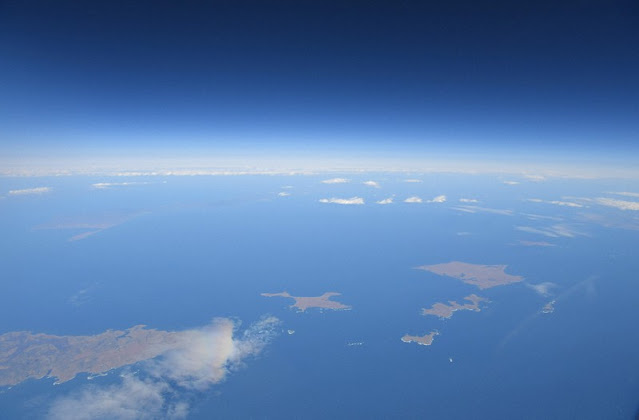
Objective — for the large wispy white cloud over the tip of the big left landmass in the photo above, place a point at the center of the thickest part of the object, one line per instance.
(201, 358)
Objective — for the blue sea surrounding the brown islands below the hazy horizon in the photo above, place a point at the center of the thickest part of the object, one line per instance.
(183, 250)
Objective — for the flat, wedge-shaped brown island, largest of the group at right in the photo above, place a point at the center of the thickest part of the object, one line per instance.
(482, 276)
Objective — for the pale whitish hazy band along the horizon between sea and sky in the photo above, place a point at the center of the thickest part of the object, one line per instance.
(251, 165)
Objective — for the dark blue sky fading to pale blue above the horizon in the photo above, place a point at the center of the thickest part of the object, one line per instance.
(396, 74)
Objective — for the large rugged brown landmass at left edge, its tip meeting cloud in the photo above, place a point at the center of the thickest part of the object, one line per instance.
(24, 355)
